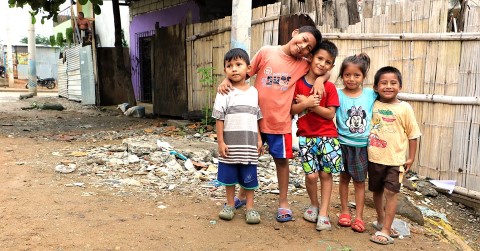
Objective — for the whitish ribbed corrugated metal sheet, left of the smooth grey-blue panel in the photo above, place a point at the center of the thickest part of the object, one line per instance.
(74, 88)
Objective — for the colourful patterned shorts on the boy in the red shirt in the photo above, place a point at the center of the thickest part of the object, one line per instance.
(320, 154)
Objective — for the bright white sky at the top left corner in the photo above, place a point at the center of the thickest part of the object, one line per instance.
(18, 20)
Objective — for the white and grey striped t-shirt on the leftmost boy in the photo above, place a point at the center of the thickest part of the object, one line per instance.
(240, 112)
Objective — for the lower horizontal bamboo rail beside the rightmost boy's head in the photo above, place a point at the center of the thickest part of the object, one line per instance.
(442, 99)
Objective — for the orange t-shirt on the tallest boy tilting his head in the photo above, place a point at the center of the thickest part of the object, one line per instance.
(275, 81)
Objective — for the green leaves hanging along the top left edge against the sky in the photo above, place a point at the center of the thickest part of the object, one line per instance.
(50, 9)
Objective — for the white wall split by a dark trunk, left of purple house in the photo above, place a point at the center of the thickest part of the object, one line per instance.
(104, 24)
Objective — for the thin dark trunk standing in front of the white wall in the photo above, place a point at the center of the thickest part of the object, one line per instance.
(121, 74)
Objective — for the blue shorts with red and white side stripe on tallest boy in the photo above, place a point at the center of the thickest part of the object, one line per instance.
(279, 145)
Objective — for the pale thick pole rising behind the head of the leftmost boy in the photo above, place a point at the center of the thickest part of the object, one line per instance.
(241, 24)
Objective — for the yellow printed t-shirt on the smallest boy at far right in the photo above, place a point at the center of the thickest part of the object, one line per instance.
(392, 126)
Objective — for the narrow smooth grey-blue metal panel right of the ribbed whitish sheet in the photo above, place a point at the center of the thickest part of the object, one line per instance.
(88, 81)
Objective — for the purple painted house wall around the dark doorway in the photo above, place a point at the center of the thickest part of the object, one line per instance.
(144, 25)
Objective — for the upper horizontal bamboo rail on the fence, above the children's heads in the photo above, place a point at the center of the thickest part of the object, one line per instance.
(471, 36)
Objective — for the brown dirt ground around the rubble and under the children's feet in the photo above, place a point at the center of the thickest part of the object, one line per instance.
(39, 212)
